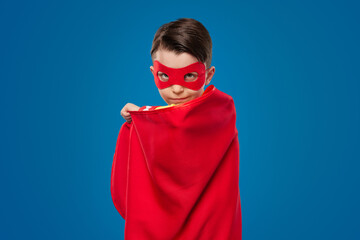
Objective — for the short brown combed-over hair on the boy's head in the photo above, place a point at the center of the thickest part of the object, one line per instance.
(184, 35)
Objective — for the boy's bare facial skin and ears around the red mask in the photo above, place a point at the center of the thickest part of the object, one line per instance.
(176, 94)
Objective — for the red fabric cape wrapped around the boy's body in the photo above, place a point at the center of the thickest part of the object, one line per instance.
(175, 172)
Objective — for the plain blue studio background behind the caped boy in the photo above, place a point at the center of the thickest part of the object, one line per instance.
(68, 67)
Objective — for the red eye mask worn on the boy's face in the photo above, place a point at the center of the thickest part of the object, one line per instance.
(177, 75)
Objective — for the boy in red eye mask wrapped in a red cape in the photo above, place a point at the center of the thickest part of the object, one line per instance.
(176, 168)
